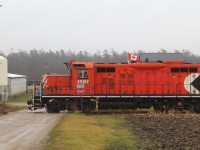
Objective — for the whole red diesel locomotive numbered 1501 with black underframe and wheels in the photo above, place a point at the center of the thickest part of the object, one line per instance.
(89, 86)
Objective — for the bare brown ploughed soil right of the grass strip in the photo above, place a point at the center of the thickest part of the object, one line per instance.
(166, 131)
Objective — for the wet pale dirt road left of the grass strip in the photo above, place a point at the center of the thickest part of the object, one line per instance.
(26, 130)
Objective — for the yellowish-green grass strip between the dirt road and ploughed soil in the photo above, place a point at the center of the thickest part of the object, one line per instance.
(92, 132)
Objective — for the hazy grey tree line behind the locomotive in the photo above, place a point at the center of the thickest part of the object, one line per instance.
(34, 63)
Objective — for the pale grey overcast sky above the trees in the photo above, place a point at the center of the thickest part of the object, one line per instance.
(91, 25)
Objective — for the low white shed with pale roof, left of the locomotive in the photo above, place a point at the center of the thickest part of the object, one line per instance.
(16, 84)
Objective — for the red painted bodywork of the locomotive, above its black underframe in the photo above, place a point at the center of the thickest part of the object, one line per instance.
(127, 79)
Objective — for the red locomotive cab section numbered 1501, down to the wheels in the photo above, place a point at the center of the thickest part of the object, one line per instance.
(82, 85)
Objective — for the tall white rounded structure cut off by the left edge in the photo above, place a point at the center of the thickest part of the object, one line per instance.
(3, 78)
